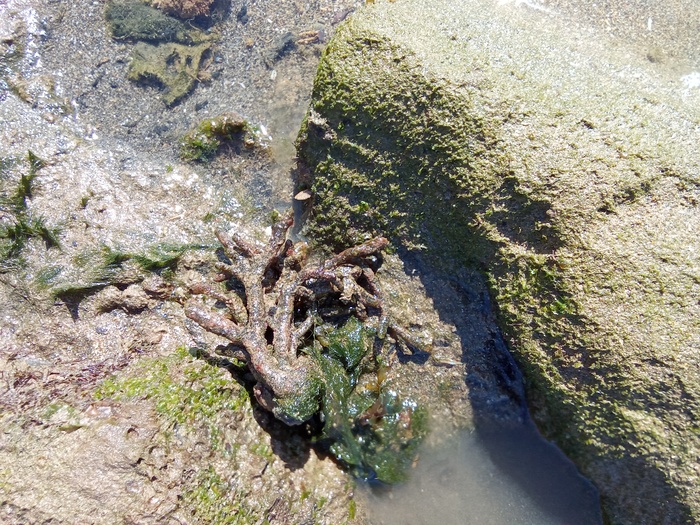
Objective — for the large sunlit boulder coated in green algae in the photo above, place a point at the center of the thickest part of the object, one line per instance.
(568, 172)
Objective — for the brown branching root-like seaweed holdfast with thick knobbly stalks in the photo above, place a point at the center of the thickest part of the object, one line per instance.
(284, 296)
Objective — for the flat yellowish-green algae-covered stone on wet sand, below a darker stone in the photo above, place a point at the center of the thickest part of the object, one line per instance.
(173, 67)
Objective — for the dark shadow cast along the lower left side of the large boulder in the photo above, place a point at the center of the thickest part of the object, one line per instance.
(497, 395)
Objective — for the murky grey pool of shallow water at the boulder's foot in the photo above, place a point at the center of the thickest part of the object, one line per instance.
(493, 476)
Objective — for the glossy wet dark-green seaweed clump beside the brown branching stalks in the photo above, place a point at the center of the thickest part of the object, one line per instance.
(374, 432)
